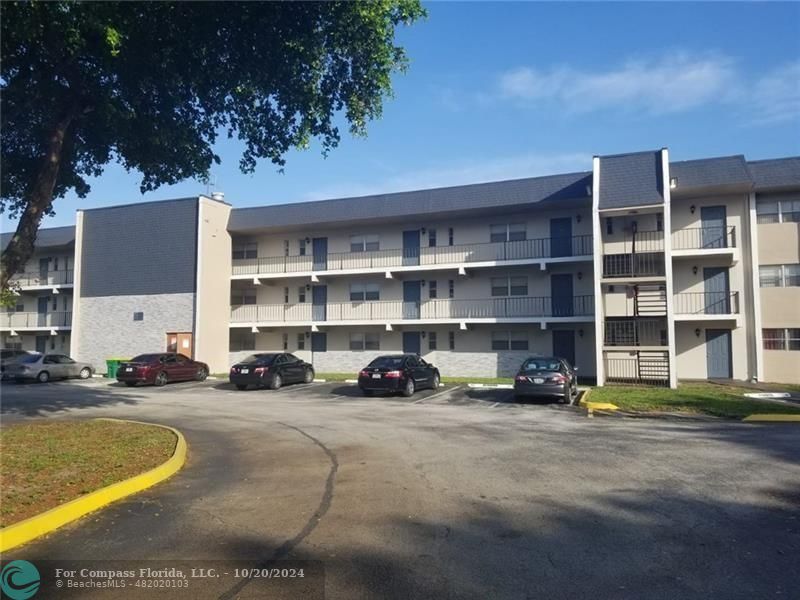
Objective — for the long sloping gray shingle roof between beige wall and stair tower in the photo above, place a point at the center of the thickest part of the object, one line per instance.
(500, 194)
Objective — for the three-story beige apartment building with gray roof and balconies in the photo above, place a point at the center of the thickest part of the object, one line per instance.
(639, 270)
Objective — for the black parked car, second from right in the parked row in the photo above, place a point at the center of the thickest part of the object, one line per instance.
(404, 373)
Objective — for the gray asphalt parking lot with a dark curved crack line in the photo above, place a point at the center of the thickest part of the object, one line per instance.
(456, 492)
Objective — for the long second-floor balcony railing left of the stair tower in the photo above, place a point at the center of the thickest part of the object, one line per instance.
(395, 310)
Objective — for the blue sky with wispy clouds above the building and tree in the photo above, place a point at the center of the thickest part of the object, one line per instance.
(505, 90)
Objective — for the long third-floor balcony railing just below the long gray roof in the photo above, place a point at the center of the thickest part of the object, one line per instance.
(580, 245)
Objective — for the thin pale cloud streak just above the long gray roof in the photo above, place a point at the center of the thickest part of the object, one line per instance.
(475, 171)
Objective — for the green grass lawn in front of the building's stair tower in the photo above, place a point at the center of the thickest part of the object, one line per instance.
(704, 398)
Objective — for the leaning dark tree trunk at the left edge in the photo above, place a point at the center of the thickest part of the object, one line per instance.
(21, 246)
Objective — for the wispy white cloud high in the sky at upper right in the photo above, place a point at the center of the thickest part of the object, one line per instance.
(672, 83)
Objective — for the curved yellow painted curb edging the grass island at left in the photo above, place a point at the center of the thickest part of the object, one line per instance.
(34, 527)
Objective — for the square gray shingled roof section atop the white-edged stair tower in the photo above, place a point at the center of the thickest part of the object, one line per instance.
(628, 180)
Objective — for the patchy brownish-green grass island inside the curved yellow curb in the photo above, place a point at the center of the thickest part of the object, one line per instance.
(45, 464)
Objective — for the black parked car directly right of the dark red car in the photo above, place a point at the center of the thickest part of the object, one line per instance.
(270, 369)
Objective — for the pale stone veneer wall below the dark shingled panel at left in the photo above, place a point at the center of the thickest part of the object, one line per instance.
(107, 328)
